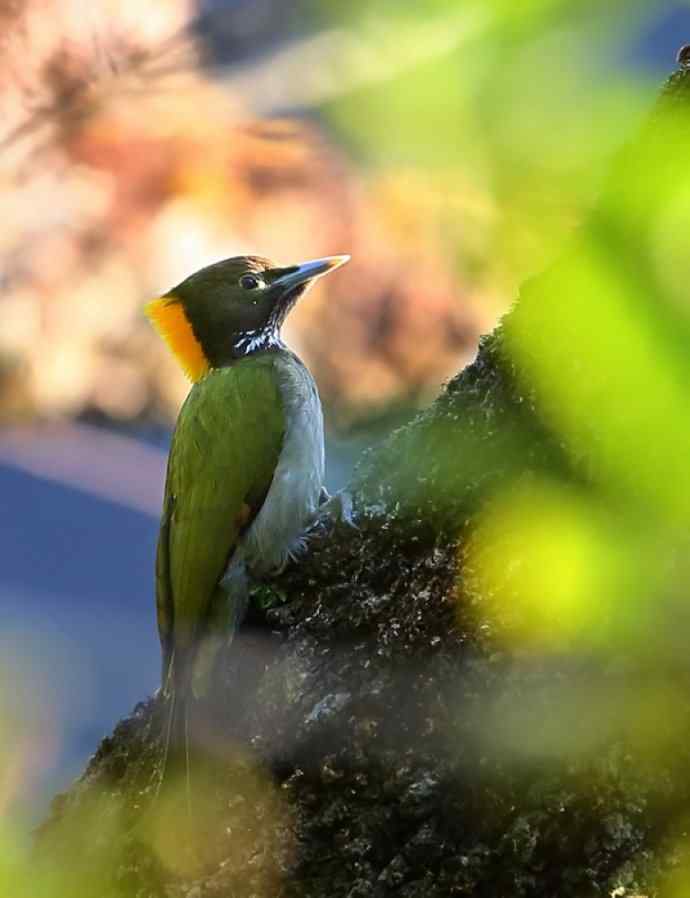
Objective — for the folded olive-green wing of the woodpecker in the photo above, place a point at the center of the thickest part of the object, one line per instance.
(224, 451)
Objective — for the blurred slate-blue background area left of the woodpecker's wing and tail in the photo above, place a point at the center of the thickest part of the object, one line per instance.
(76, 588)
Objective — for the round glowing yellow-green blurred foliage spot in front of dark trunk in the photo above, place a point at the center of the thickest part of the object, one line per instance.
(556, 569)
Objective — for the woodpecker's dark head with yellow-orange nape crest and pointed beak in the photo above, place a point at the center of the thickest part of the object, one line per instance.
(231, 309)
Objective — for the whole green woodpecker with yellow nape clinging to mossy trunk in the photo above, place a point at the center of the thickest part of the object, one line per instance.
(245, 473)
